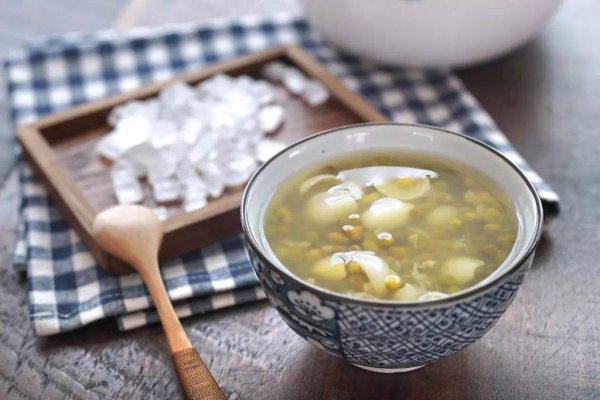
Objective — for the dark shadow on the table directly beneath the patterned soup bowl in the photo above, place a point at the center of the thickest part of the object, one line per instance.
(319, 375)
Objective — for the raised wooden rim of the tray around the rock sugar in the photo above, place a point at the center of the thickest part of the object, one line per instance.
(79, 212)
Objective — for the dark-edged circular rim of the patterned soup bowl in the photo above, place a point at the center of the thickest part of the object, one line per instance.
(466, 295)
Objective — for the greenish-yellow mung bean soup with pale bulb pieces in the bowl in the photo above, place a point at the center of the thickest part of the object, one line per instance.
(391, 226)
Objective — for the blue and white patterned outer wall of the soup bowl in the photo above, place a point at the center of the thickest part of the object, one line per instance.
(383, 337)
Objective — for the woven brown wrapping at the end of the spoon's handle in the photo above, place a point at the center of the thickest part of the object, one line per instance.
(195, 378)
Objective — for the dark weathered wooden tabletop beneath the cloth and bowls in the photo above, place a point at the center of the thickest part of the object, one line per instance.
(544, 97)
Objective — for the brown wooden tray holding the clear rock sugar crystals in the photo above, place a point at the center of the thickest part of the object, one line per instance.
(61, 149)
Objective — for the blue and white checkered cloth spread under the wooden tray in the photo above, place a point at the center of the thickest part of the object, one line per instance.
(66, 288)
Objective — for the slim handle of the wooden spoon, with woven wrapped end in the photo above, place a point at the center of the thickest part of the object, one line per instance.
(194, 377)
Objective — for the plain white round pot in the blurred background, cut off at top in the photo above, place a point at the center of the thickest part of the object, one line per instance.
(429, 33)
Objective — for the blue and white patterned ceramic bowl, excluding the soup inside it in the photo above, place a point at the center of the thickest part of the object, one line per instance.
(390, 336)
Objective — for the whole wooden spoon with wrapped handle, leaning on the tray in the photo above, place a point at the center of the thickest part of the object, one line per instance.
(133, 233)
